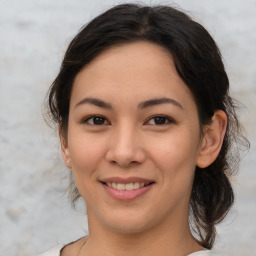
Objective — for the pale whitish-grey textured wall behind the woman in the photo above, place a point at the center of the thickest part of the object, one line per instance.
(34, 212)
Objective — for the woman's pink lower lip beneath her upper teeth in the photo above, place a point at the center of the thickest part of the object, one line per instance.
(127, 195)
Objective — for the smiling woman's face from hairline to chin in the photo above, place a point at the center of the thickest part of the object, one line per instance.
(133, 138)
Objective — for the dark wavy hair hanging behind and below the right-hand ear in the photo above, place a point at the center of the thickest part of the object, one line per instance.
(212, 195)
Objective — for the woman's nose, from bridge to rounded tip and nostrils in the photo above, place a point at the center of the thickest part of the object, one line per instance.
(125, 149)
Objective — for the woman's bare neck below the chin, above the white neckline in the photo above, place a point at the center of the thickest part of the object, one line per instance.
(170, 239)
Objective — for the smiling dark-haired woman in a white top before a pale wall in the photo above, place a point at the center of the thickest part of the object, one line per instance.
(146, 124)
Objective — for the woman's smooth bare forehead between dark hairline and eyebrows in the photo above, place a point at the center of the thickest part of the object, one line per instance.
(139, 70)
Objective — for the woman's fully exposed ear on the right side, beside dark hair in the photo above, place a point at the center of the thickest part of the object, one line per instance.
(212, 139)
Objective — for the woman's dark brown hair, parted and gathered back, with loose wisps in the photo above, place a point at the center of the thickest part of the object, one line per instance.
(198, 62)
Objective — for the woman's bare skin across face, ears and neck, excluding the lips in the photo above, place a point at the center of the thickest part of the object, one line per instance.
(130, 141)
